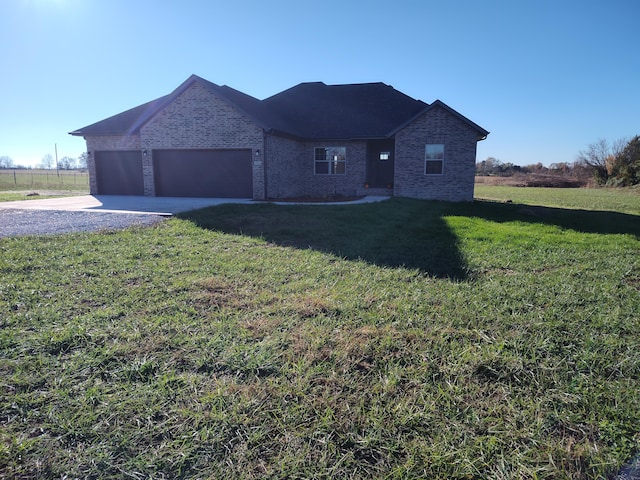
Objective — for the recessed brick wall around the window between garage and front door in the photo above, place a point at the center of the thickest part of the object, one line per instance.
(291, 169)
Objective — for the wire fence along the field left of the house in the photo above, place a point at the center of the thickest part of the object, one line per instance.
(21, 179)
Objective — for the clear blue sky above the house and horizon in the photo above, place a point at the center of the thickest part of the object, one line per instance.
(545, 77)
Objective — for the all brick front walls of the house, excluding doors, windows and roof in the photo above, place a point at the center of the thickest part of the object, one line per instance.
(199, 119)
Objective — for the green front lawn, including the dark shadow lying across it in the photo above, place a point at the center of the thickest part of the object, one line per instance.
(405, 339)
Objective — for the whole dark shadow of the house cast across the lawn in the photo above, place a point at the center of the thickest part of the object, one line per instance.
(395, 233)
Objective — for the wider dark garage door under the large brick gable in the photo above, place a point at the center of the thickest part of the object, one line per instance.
(203, 173)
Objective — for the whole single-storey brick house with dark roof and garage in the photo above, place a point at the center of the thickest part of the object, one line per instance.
(312, 140)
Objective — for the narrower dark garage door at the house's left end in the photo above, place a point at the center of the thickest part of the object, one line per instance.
(119, 172)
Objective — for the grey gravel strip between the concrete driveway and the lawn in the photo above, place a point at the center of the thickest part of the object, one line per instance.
(15, 222)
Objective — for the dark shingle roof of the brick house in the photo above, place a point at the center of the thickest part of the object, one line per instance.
(308, 111)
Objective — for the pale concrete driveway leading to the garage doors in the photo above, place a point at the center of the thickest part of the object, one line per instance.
(120, 204)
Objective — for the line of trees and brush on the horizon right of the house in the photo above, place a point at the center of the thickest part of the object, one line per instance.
(612, 164)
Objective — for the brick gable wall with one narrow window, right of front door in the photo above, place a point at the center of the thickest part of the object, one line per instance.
(456, 183)
